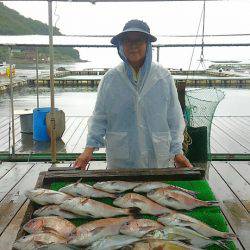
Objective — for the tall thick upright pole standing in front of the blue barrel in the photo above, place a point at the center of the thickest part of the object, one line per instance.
(52, 98)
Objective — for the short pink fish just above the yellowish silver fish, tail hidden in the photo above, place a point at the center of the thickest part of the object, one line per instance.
(139, 227)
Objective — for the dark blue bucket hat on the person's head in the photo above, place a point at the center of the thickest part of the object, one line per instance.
(134, 26)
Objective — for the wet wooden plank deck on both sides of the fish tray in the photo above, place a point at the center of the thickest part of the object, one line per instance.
(230, 182)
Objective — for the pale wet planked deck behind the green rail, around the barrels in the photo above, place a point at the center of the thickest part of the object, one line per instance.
(229, 135)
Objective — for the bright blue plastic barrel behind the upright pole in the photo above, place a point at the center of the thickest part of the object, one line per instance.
(39, 124)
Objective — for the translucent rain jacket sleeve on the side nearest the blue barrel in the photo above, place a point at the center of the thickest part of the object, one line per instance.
(97, 123)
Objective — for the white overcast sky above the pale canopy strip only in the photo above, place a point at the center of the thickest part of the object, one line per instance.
(163, 17)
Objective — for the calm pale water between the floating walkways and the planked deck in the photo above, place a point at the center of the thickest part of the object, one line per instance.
(80, 101)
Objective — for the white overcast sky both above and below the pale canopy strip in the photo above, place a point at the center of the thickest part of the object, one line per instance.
(164, 18)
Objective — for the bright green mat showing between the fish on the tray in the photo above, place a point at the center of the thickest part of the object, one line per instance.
(210, 215)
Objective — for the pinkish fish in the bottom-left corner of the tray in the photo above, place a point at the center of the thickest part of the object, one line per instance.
(33, 241)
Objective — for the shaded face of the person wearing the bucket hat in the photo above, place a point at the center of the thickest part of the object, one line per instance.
(134, 46)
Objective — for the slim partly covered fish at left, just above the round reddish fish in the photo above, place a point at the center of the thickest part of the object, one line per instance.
(54, 210)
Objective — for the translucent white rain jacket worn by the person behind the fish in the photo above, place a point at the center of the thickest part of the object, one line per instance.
(142, 129)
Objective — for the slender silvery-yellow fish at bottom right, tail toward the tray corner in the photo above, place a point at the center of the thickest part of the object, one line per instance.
(183, 234)
